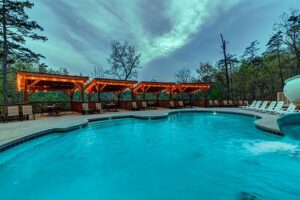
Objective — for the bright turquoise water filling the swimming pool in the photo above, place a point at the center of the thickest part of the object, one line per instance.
(188, 156)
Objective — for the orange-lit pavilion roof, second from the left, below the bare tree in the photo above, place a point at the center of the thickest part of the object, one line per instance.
(108, 85)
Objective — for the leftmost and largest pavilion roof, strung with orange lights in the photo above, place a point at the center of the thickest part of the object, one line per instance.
(35, 81)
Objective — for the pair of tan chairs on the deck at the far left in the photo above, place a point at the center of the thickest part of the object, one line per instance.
(20, 113)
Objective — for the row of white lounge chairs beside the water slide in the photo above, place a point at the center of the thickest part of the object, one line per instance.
(272, 107)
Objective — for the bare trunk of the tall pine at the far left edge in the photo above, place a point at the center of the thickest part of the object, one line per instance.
(5, 52)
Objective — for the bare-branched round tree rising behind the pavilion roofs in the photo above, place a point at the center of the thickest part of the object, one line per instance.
(124, 61)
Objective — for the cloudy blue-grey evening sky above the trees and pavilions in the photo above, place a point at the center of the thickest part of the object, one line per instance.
(170, 34)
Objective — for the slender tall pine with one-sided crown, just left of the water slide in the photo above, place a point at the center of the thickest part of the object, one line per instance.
(274, 47)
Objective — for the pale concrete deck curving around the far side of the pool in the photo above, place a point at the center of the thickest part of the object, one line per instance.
(14, 133)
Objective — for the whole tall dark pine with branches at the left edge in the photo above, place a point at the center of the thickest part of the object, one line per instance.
(16, 27)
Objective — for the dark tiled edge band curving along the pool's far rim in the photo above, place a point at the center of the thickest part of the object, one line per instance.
(36, 135)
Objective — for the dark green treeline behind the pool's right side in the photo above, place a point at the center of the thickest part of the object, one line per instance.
(254, 75)
